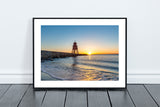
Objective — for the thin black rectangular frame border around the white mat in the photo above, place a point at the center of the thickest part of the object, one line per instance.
(33, 27)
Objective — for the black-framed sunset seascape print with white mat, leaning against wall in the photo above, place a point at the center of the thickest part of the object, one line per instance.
(79, 52)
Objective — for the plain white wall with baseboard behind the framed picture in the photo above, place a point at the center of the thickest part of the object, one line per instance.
(16, 33)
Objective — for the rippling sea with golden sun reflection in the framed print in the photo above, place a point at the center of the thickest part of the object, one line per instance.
(82, 68)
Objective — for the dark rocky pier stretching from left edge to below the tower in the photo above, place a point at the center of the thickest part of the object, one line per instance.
(50, 55)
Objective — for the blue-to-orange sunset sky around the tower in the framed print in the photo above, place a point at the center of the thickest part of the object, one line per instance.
(96, 39)
